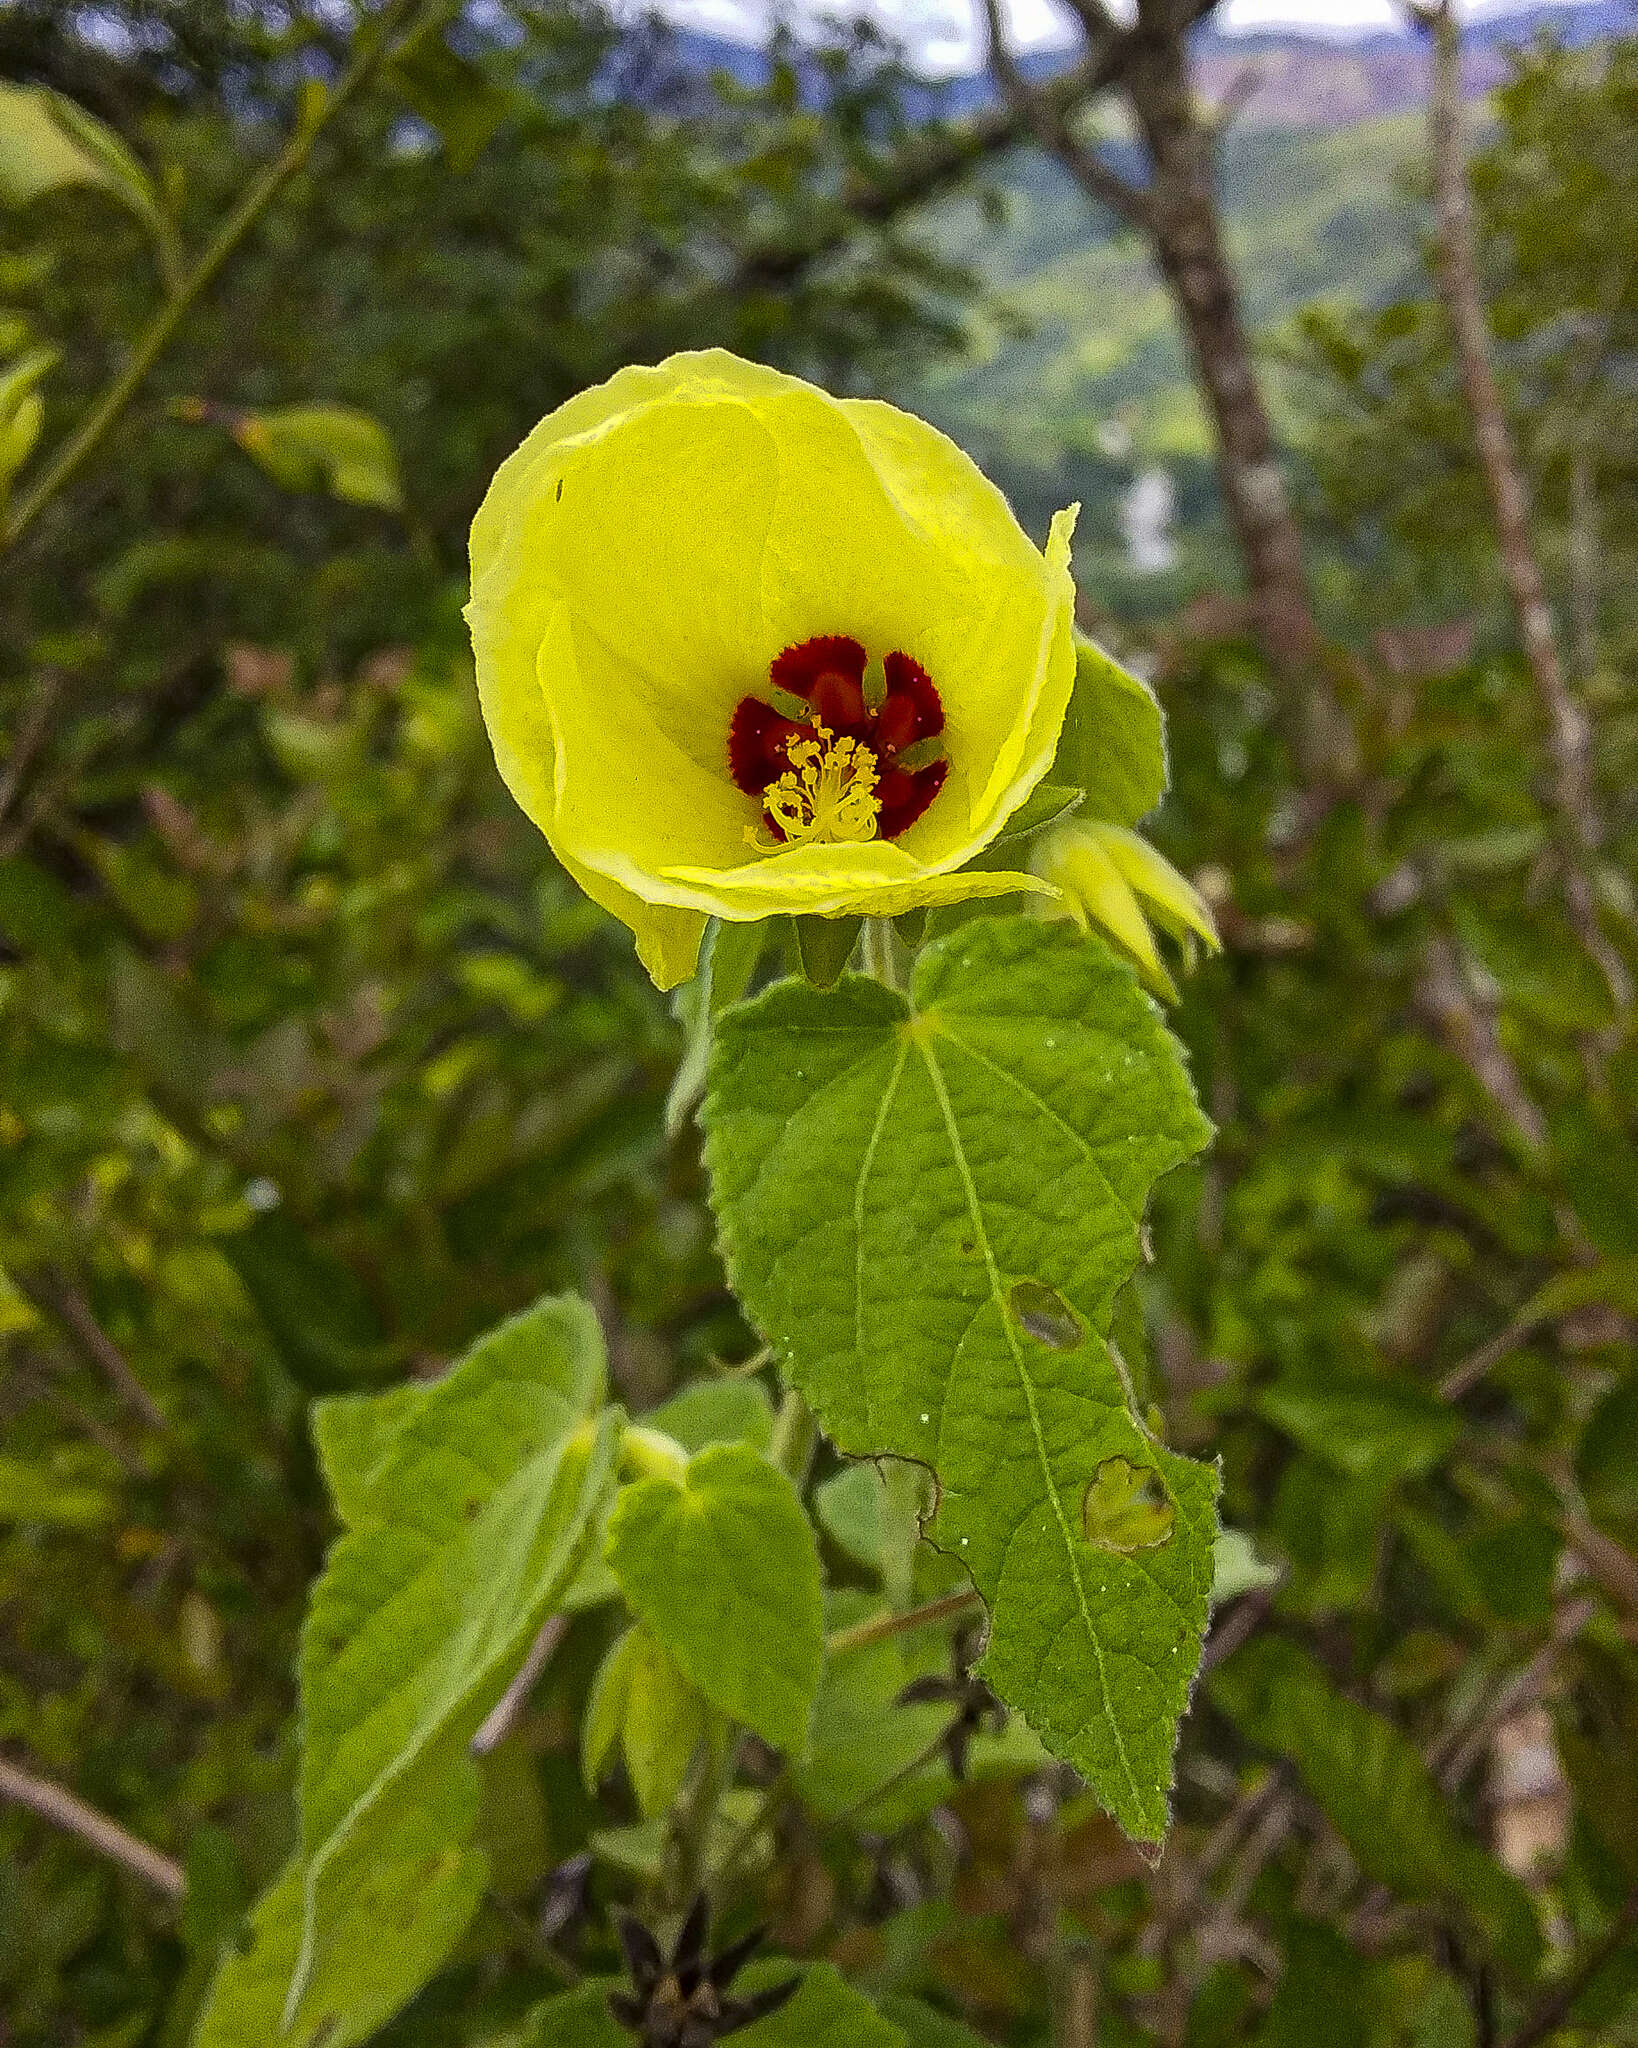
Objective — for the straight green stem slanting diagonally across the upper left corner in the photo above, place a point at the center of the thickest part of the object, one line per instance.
(255, 202)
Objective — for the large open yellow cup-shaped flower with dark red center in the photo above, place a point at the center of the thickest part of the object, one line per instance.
(746, 648)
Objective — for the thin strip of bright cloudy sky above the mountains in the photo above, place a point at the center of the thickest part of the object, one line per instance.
(945, 36)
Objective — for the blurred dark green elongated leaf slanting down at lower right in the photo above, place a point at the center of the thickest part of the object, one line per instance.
(1375, 1789)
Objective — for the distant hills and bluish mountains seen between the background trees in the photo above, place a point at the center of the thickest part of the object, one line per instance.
(1078, 388)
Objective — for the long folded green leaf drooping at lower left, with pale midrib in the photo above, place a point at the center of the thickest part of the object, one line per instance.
(474, 1529)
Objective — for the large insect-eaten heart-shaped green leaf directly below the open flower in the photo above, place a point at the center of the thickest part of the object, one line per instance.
(931, 1207)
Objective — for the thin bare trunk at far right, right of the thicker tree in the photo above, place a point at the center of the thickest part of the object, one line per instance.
(1569, 732)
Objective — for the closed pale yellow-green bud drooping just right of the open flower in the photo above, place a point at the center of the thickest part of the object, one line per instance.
(1113, 878)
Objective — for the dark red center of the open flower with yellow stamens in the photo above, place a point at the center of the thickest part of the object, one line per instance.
(838, 753)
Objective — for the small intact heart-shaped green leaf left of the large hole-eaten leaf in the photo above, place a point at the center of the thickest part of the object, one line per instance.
(724, 1568)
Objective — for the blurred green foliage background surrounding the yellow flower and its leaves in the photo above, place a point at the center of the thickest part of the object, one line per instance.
(314, 1064)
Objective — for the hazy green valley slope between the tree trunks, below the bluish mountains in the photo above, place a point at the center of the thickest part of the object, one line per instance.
(1096, 392)
